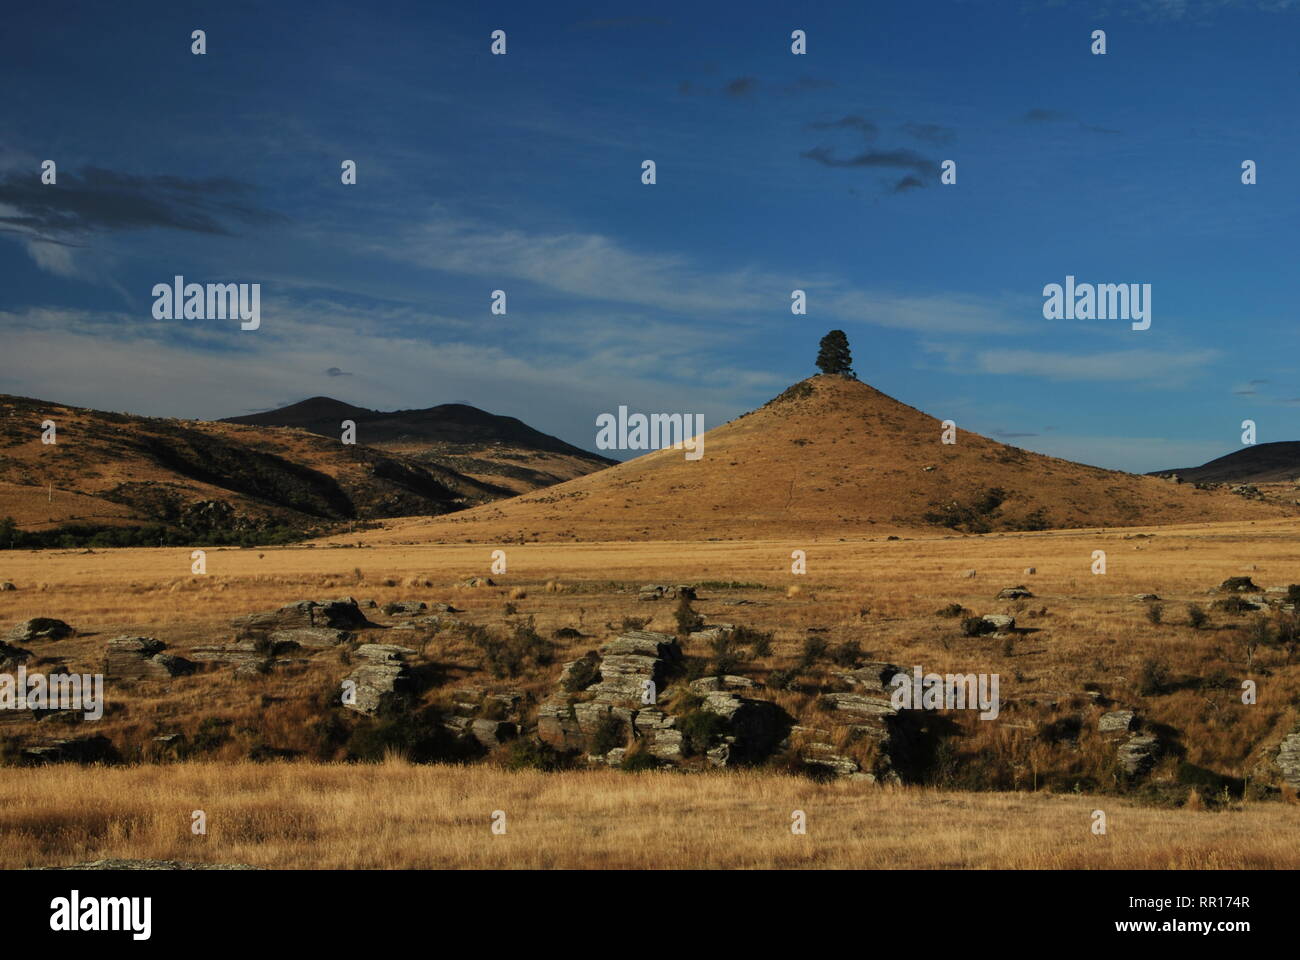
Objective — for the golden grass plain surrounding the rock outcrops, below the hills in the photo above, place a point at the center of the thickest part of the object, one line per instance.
(1086, 629)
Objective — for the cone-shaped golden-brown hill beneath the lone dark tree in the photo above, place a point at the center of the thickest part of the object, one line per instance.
(834, 457)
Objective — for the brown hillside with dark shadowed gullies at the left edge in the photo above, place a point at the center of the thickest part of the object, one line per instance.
(205, 479)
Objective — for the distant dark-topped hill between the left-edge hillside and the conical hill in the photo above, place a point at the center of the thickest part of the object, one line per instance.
(499, 451)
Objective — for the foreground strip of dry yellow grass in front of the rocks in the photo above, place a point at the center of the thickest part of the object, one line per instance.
(396, 816)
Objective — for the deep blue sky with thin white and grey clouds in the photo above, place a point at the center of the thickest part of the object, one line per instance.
(523, 172)
